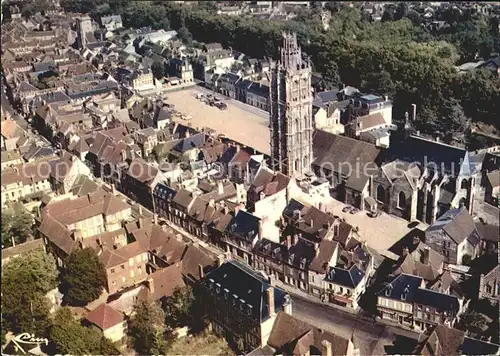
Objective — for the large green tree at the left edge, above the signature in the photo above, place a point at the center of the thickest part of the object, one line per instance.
(25, 282)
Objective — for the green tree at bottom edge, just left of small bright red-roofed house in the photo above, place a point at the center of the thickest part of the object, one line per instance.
(69, 337)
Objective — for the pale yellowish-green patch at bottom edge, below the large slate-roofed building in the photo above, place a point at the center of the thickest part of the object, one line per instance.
(203, 344)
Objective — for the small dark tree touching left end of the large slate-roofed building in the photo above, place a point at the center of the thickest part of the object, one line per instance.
(178, 307)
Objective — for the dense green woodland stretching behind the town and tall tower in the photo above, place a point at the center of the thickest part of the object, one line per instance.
(396, 57)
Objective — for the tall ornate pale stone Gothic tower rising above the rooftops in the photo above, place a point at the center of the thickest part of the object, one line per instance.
(290, 111)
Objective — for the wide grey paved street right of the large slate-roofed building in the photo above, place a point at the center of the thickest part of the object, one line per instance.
(370, 337)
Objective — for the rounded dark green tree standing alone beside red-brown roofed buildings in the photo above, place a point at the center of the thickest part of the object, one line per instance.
(84, 277)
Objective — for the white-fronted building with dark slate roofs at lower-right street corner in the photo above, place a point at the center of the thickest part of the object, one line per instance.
(406, 301)
